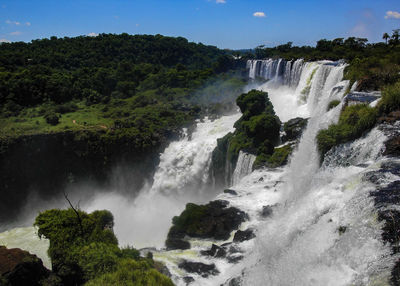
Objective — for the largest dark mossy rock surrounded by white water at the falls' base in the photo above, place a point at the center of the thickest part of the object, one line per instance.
(214, 220)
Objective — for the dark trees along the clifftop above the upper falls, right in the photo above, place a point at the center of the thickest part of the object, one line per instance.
(374, 65)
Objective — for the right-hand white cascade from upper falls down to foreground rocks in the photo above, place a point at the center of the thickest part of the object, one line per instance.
(322, 230)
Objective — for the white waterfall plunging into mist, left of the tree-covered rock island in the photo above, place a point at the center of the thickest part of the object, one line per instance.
(180, 177)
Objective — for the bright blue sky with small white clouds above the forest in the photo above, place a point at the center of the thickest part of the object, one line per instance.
(231, 24)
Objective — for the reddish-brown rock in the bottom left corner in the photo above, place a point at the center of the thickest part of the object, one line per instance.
(19, 268)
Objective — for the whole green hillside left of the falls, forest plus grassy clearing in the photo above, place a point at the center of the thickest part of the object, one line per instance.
(110, 82)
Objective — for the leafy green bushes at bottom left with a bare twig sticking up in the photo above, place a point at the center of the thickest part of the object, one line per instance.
(84, 248)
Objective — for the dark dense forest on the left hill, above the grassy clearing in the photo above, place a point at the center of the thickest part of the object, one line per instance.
(97, 68)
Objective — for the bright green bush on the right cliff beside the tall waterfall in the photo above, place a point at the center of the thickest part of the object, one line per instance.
(353, 122)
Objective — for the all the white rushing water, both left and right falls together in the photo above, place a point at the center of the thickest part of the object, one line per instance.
(323, 229)
